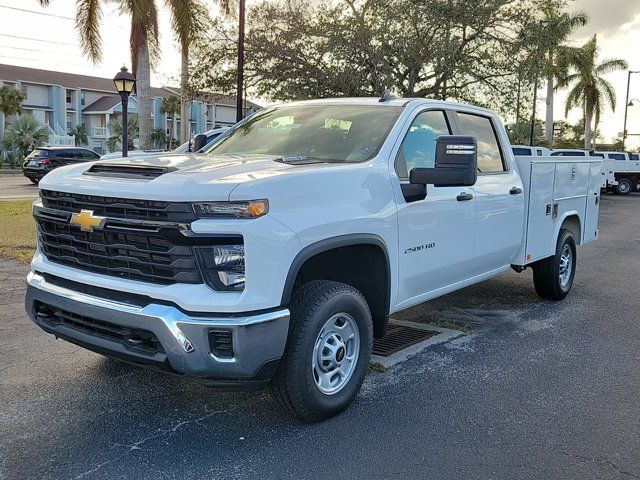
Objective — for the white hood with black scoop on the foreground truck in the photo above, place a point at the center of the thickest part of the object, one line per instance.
(177, 177)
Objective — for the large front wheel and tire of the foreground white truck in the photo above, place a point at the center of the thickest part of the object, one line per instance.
(328, 351)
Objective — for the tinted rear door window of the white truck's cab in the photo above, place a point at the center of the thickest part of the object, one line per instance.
(489, 154)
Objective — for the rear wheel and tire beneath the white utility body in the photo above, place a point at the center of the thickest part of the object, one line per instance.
(553, 276)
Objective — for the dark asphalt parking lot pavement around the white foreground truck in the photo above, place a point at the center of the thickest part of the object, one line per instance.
(538, 390)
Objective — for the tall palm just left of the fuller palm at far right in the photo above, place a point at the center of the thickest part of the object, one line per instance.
(557, 28)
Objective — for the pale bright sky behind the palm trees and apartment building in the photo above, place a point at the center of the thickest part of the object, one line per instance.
(37, 37)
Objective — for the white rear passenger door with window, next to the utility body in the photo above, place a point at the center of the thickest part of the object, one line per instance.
(499, 198)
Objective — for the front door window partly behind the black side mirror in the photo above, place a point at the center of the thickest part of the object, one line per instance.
(418, 148)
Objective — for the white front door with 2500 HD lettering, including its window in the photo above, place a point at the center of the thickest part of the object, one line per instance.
(435, 232)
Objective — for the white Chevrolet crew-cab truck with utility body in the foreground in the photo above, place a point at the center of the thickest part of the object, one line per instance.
(275, 258)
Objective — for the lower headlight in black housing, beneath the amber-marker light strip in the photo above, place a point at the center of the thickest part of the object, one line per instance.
(223, 266)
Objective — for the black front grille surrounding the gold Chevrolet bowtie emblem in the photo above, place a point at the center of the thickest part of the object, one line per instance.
(151, 251)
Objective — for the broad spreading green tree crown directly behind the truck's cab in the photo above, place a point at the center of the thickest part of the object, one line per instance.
(471, 51)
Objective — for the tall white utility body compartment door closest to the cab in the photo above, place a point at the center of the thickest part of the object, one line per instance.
(540, 221)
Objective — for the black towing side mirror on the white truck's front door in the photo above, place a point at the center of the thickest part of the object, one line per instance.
(456, 163)
